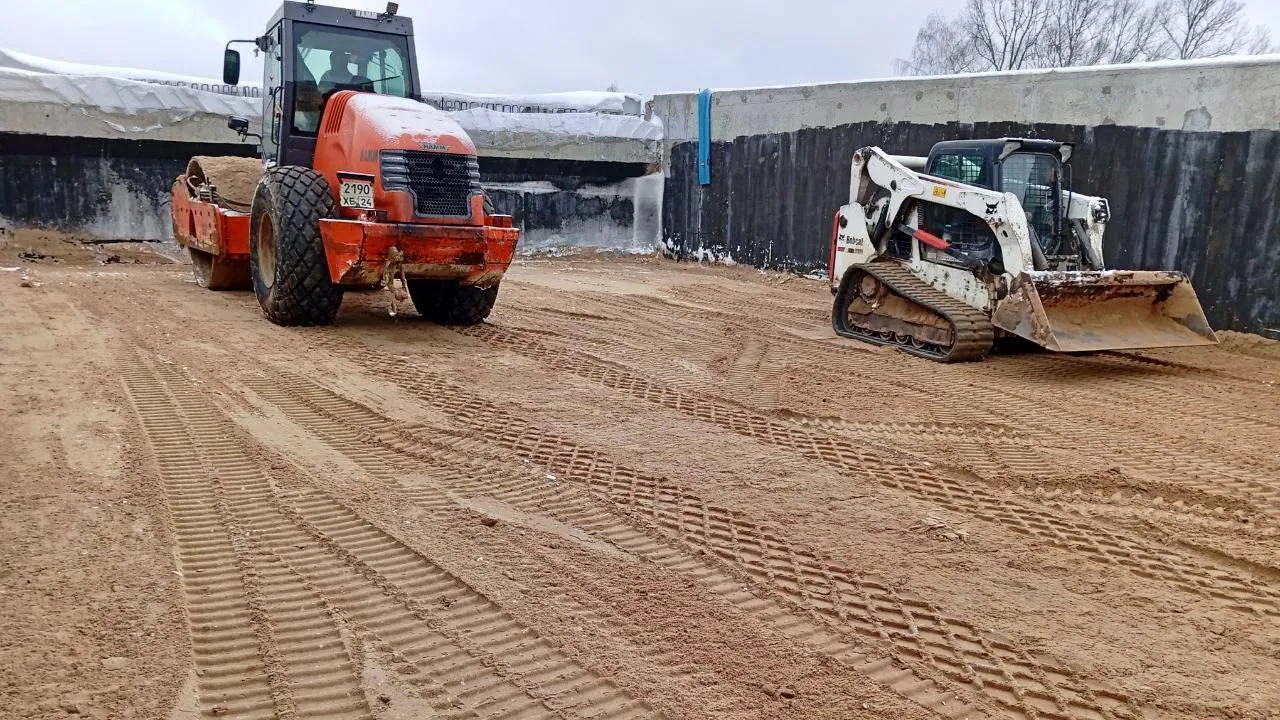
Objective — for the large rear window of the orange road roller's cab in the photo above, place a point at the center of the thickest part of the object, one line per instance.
(328, 60)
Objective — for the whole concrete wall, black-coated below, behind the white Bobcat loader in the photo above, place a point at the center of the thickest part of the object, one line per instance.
(1188, 154)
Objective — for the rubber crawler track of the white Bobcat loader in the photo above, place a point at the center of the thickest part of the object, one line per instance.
(972, 330)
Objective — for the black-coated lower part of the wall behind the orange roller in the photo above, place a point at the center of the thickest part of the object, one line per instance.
(113, 190)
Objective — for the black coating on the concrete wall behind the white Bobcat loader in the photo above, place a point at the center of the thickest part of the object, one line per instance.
(1204, 203)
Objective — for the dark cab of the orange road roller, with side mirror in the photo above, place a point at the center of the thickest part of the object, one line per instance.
(312, 52)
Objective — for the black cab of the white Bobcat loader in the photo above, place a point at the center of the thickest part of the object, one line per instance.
(1036, 171)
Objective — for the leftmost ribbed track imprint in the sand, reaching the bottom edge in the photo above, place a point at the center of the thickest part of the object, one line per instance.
(263, 645)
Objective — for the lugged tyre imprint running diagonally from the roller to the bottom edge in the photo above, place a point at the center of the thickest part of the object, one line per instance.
(985, 663)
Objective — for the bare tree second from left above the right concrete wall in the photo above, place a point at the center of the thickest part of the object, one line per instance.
(1007, 33)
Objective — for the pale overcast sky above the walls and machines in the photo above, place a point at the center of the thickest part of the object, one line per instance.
(525, 45)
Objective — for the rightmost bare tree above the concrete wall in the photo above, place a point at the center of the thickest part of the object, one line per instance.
(1203, 29)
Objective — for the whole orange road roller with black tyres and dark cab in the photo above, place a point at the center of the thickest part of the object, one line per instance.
(358, 181)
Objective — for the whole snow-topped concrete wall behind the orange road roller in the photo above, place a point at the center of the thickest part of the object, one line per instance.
(92, 153)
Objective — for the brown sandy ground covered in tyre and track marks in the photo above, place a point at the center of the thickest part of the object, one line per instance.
(642, 490)
